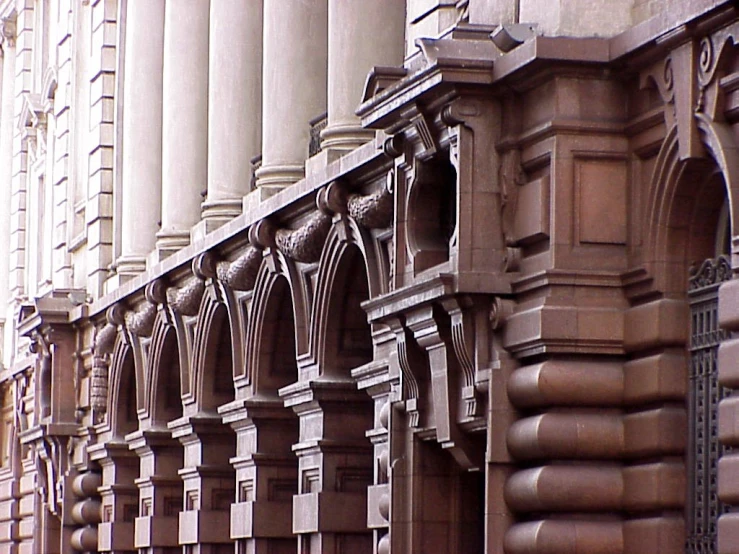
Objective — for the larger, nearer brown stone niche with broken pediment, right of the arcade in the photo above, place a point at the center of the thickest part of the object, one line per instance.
(444, 123)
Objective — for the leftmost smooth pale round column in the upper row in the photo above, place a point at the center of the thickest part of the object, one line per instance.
(142, 134)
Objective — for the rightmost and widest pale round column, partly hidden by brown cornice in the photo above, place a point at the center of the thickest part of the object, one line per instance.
(361, 35)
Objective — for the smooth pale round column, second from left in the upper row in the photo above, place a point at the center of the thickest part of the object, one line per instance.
(184, 120)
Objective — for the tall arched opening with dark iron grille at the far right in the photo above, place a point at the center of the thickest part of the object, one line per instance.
(707, 249)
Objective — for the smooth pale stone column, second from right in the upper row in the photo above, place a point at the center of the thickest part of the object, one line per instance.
(294, 86)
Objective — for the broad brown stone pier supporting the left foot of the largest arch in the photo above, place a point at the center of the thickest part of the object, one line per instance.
(335, 466)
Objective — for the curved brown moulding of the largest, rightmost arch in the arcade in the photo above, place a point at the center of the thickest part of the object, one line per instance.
(345, 236)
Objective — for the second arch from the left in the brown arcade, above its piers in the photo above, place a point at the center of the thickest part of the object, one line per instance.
(164, 365)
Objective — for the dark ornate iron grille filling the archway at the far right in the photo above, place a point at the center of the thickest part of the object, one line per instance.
(704, 506)
